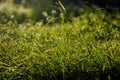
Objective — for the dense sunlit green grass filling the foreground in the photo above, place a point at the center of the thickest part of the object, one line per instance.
(88, 51)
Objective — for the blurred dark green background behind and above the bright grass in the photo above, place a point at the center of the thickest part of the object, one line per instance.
(42, 10)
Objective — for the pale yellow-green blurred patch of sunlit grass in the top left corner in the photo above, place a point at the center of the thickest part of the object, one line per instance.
(15, 9)
